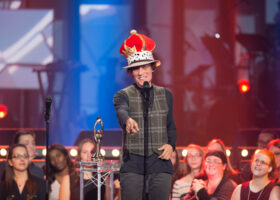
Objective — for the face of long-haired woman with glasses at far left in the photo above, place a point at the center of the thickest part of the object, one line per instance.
(19, 161)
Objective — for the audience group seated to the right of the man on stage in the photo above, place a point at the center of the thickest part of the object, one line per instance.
(209, 174)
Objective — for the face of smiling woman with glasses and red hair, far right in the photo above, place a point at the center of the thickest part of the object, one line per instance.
(260, 165)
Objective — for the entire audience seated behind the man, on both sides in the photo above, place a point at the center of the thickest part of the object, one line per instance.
(207, 172)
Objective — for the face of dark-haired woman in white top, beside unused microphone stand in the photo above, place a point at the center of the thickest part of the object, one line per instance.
(58, 160)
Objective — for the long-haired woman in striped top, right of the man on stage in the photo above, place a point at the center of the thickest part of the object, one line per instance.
(193, 162)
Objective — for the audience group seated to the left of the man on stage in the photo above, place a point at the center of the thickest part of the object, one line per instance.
(22, 179)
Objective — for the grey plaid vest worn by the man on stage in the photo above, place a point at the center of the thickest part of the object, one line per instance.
(157, 130)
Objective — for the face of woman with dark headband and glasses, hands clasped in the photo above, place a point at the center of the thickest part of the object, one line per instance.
(214, 166)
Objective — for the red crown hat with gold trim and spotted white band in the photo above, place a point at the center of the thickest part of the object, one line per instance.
(138, 50)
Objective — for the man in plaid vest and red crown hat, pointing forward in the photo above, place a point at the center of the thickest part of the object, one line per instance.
(145, 113)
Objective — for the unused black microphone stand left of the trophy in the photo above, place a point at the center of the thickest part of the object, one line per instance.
(47, 120)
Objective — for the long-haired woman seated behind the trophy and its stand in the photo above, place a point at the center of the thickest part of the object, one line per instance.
(70, 186)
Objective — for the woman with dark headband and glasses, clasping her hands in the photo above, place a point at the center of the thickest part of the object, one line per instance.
(216, 185)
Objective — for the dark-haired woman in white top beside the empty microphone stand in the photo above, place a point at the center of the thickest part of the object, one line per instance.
(60, 164)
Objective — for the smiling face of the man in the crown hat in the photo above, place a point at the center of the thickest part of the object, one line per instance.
(141, 74)
